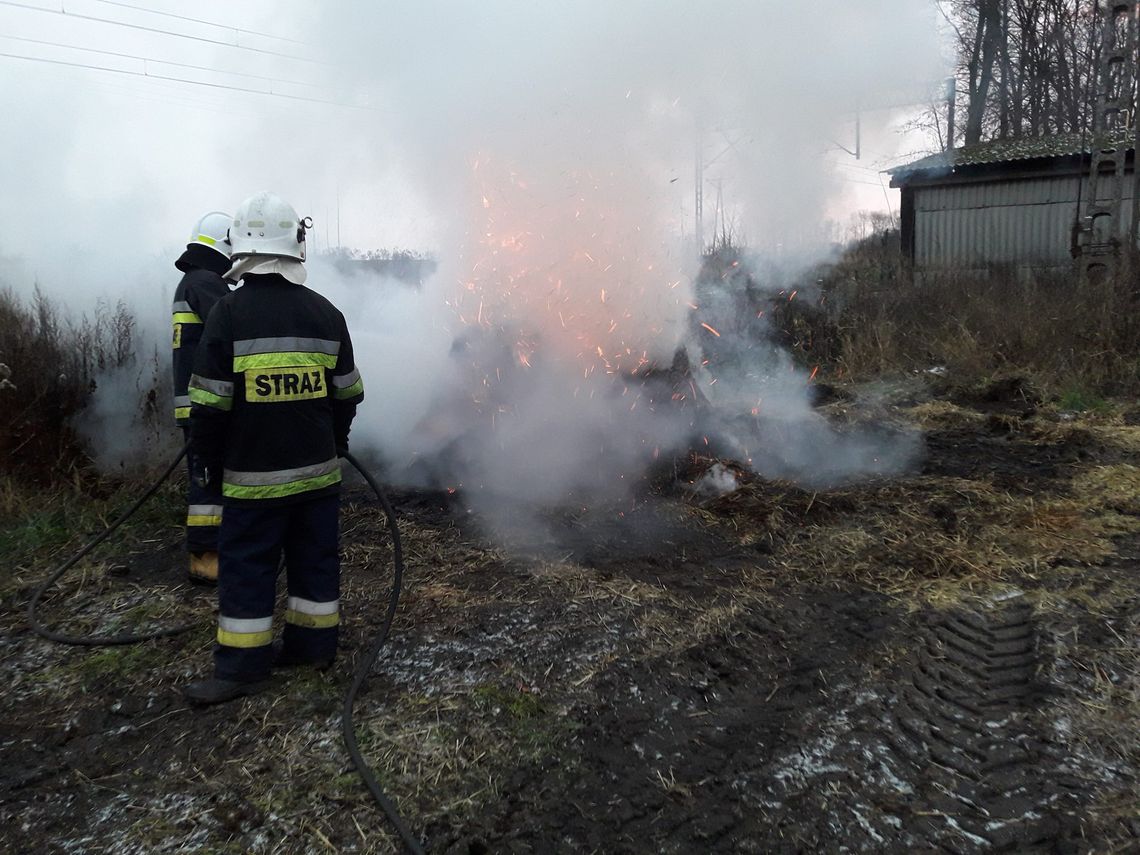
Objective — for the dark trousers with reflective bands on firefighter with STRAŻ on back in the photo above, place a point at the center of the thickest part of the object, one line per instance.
(253, 542)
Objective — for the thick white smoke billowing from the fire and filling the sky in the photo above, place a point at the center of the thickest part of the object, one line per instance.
(545, 154)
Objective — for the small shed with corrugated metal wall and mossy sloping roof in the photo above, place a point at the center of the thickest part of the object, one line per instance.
(1004, 203)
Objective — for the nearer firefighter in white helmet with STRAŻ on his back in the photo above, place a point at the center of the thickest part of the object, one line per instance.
(274, 394)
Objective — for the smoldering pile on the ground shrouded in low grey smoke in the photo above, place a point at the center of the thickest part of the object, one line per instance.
(524, 428)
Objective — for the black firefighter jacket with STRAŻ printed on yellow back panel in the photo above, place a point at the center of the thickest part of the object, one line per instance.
(274, 393)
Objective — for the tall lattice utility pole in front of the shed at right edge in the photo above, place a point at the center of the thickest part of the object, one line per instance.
(1102, 229)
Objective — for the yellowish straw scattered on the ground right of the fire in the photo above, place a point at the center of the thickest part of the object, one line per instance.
(935, 540)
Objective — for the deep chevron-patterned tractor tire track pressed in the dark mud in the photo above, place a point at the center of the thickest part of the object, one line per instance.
(966, 721)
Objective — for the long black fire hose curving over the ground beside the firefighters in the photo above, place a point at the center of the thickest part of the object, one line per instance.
(364, 666)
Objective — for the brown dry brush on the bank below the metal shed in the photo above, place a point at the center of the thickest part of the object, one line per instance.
(878, 320)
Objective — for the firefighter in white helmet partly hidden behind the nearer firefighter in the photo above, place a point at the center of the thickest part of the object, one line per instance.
(203, 265)
